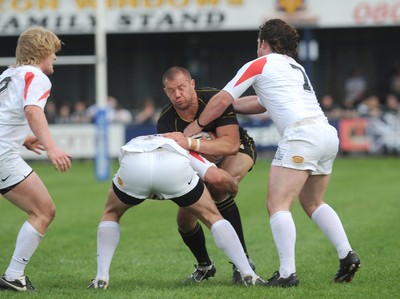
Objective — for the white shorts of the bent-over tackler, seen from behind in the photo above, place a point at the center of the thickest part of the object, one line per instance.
(161, 173)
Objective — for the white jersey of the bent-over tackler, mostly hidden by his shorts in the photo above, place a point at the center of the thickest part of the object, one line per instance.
(149, 143)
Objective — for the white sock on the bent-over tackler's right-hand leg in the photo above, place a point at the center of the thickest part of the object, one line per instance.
(227, 240)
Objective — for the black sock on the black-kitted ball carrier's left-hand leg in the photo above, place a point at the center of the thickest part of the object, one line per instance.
(196, 242)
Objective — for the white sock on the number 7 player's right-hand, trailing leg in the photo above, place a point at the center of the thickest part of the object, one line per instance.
(328, 221)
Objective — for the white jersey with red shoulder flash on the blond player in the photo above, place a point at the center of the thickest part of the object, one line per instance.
(19, 87)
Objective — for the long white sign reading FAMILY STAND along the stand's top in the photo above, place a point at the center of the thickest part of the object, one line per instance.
(140, 16)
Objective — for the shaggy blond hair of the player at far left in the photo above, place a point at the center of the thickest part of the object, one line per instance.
(36, 44)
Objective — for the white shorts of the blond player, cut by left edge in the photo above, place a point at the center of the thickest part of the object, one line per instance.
(13, 170)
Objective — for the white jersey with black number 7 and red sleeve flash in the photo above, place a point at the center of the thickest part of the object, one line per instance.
(282, 87)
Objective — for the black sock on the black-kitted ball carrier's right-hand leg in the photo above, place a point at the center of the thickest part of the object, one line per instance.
(230, 212)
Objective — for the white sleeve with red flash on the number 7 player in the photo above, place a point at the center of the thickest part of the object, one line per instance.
(245, 77)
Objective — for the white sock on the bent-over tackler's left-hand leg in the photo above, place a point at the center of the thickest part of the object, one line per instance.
(107, 240)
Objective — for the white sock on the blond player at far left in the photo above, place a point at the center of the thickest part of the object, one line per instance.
(28, 240)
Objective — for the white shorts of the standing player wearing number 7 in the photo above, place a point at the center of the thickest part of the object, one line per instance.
(308, 146)
